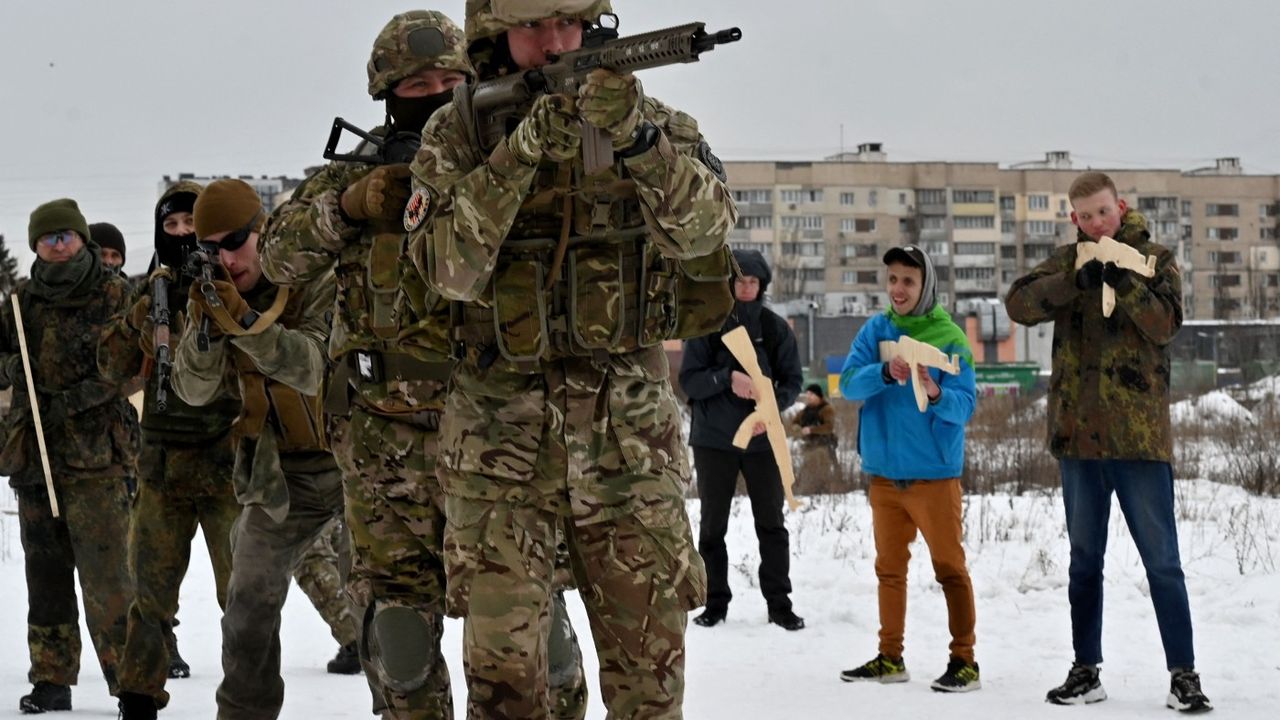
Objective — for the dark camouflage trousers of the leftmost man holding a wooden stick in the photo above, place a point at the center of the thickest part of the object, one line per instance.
(85, 540)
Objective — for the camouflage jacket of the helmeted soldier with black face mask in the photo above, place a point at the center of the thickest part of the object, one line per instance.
(308, 238)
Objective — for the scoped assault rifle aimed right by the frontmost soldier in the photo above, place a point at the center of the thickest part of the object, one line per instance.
(500, 104)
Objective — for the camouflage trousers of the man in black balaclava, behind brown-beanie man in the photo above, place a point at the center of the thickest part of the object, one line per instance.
(162, 530)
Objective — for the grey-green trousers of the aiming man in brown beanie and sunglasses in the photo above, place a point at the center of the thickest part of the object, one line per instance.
(264, 554)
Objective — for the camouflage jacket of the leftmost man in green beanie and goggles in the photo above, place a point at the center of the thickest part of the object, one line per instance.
(90, 429)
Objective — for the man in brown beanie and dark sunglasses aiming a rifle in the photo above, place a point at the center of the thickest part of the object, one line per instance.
(266, 345)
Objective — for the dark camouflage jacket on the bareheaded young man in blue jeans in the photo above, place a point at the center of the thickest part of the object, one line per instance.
(1109, 394)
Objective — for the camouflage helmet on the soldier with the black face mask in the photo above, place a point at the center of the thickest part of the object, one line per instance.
(415, 42)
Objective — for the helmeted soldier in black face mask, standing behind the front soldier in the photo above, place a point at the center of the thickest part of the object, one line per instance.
(392, 358)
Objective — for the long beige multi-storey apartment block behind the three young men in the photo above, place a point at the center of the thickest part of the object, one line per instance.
(828, 224)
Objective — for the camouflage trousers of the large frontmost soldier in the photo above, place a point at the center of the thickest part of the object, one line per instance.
(592, 454)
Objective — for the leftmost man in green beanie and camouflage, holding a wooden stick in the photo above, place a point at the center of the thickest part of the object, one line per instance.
(89, 430)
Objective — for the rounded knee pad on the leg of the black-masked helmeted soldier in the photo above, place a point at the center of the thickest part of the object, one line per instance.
(404, 646)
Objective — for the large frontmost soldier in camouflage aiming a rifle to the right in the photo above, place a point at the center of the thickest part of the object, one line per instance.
(561, 420)
